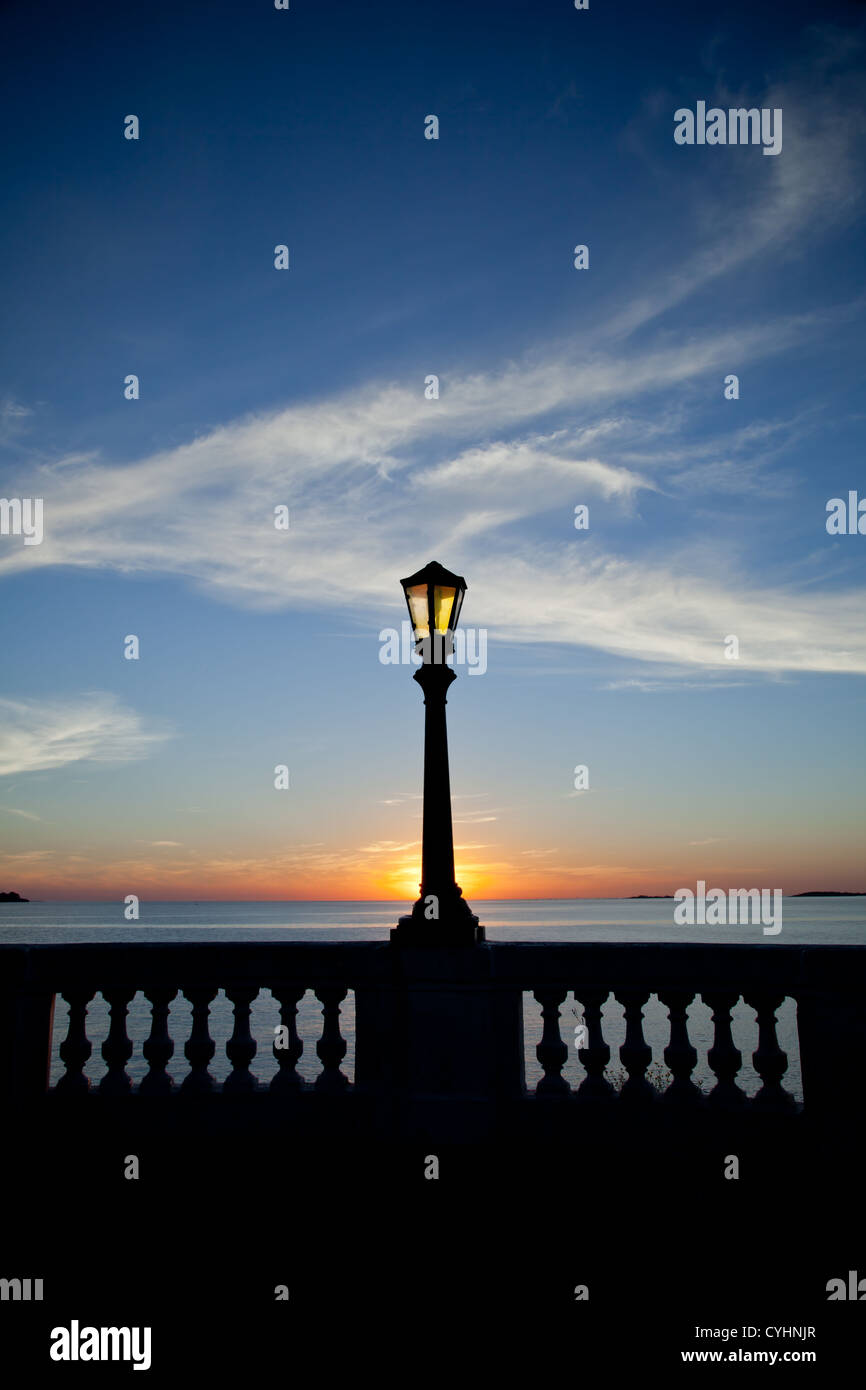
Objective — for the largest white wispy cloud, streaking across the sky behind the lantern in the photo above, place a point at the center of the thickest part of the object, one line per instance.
(206, 511)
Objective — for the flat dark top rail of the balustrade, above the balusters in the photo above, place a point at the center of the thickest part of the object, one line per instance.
(840, 970)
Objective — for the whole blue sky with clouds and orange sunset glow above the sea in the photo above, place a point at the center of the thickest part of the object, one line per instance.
(608, 647)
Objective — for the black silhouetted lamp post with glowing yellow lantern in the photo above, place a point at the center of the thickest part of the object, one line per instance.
(441, 917)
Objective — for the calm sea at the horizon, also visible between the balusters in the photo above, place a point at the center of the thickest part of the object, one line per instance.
(819, 921)
